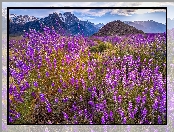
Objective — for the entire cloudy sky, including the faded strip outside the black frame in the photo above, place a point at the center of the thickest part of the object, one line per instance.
(100, 16)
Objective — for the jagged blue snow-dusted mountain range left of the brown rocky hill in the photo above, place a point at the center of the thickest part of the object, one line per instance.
(66, 23)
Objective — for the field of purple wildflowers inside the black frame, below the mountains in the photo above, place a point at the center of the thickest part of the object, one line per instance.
(56, 79)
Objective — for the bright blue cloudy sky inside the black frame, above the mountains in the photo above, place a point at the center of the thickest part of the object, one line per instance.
(101, 15)
